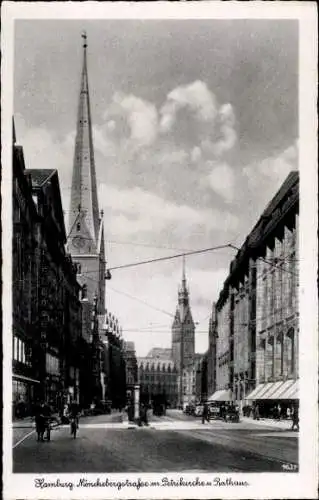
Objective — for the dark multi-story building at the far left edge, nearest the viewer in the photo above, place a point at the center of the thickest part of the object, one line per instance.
(26, 385)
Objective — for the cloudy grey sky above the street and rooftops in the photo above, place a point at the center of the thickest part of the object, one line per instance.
(195, 129)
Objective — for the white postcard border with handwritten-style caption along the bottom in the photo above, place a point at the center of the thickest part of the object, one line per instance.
(301, 485)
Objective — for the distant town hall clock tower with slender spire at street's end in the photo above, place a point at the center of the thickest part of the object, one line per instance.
(183, 335)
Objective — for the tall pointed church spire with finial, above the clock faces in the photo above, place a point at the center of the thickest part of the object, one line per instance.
(84, 209)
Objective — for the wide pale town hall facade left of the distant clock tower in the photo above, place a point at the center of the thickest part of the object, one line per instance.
(157, 376)
